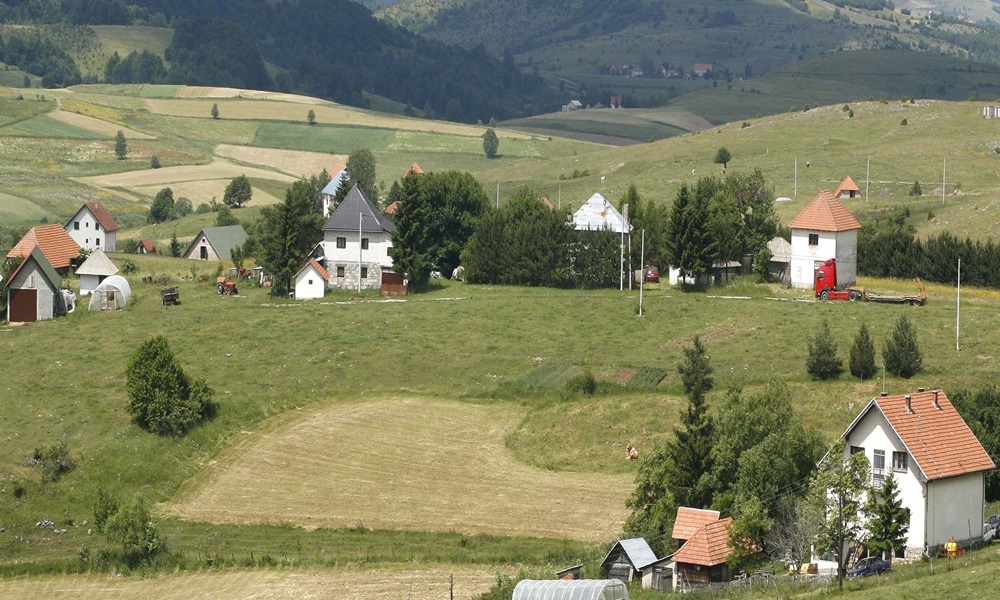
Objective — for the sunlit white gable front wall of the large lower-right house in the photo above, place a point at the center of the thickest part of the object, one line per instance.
(874, 433)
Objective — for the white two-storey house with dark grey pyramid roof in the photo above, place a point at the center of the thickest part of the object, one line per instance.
(356, 242)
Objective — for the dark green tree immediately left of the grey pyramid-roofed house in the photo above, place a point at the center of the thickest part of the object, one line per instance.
(288, 231)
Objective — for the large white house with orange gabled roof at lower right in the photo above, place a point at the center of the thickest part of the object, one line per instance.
(939, 465)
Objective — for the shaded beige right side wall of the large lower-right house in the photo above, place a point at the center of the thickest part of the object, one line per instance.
(955, 508)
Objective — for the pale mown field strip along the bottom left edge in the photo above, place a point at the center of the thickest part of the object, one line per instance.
(342, 584)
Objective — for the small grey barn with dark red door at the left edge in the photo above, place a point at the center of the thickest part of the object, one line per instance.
(33, 290)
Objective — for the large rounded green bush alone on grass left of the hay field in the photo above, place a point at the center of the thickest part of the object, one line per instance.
(161, 397)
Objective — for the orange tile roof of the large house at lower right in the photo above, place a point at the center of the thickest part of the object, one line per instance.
(938, 439)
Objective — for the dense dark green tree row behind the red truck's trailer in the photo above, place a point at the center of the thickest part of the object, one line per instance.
(893, 250)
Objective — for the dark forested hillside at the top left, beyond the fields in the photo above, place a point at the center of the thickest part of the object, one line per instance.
(331, 49)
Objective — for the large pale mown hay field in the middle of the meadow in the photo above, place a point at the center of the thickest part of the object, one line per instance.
(403, 464)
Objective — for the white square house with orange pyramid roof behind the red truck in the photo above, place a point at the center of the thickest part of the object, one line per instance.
(824, 230)
